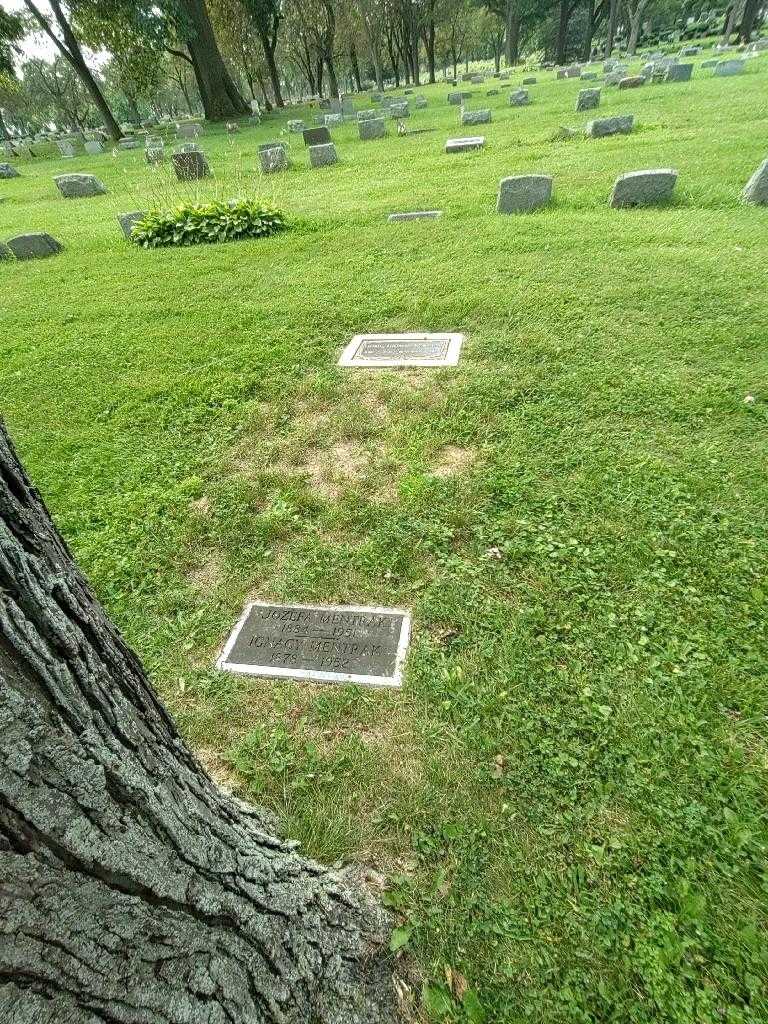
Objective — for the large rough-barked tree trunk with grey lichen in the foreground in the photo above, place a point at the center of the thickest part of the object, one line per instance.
(134, 889)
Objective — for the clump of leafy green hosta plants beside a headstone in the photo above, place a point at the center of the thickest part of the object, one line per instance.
(192, 224)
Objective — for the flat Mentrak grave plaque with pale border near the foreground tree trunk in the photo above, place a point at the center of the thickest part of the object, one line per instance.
(321, 652)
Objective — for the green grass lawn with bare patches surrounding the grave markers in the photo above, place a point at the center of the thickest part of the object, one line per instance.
(569, 796)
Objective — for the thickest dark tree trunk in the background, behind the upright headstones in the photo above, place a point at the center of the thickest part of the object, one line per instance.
(221, 97)
